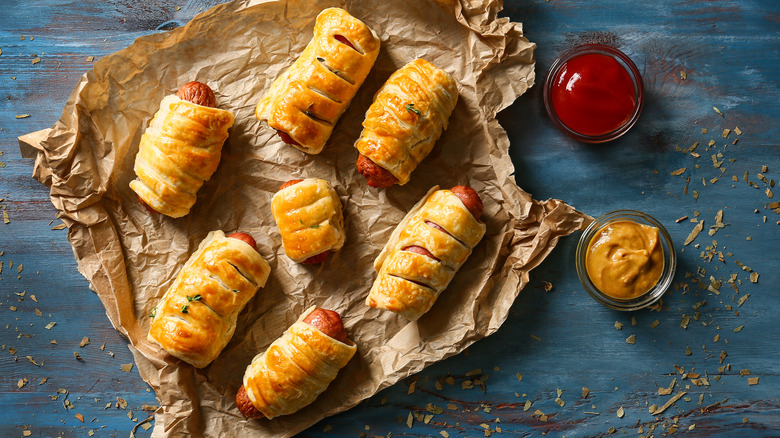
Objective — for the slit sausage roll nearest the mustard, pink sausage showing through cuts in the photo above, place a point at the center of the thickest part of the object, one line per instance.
(426, 250)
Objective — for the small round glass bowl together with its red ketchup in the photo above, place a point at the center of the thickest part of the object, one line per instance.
(594, 93)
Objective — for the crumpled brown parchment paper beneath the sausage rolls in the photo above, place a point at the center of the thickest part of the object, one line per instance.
(130, 257)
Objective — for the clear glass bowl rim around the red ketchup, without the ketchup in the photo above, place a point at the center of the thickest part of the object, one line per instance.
(624, 61)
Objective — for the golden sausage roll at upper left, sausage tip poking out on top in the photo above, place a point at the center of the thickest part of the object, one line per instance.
(180, 150)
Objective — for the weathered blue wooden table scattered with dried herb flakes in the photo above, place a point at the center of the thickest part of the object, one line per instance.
(561, 364)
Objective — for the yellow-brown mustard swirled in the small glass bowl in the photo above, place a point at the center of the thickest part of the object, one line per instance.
(625, 259)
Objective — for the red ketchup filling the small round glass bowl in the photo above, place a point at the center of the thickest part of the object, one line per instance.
(593, 94)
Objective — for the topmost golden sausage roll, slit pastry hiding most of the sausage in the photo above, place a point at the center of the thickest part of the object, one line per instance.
(304, 103)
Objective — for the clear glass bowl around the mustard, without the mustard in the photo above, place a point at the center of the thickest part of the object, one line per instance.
(653, 294)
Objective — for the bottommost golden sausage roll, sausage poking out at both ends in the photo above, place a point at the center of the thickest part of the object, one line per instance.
(297, 367)
